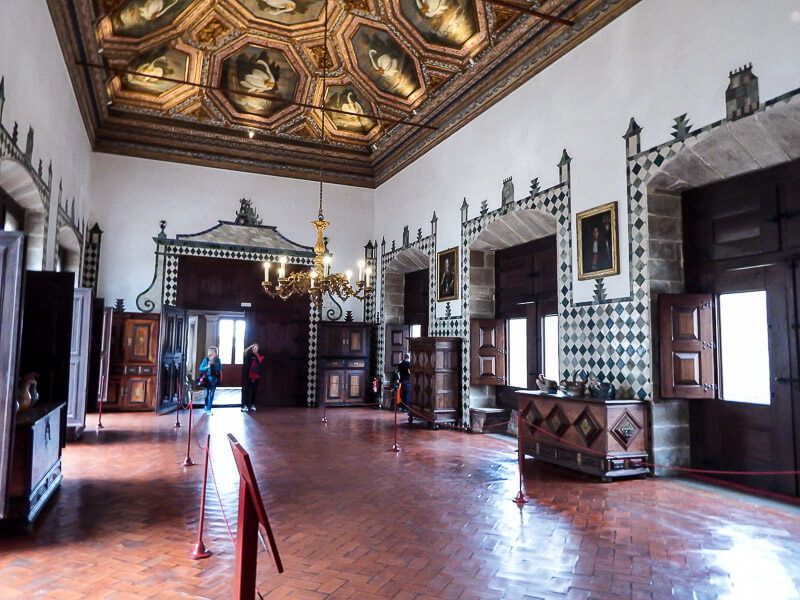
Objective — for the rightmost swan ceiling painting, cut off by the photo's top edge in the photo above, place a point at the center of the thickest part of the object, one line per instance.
(448, 23)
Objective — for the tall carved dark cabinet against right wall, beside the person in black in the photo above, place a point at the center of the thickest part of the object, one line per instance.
(436, 379)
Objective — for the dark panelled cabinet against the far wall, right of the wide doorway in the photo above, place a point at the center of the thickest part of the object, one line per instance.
(344, 363)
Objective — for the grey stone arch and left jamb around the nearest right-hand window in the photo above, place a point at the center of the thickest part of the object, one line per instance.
(767, 138)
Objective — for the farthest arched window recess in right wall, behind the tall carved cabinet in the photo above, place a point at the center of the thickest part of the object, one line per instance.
(406, 303)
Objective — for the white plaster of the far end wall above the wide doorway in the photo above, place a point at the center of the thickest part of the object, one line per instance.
(131, 195)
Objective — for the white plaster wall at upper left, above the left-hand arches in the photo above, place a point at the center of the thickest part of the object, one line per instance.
(39, 93)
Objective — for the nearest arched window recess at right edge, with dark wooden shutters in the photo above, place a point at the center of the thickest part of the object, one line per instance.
(722, 224)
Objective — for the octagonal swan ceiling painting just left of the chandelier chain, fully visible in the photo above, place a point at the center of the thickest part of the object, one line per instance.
(259, 81)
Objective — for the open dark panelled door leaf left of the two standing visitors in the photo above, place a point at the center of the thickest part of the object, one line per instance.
(172, 360)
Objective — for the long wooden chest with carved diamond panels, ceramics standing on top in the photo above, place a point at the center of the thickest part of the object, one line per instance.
(607, 438)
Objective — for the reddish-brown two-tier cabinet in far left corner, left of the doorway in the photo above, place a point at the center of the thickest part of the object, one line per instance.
(133, 363)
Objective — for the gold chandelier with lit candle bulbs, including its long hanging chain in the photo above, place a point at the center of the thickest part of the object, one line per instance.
(318, 281)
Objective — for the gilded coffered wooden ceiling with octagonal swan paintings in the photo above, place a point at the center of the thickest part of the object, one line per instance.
(241, 83)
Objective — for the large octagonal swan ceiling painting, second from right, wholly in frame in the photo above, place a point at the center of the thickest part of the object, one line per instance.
(382, 59)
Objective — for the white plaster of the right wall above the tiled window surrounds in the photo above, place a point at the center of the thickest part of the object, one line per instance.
(660, 59)
